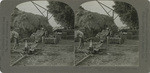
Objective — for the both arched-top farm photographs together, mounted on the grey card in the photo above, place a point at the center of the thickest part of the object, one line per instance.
(50, 33)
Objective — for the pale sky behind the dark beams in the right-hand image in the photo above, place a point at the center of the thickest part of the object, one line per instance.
(94, 6)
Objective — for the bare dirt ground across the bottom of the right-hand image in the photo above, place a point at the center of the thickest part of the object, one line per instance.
(126, 54)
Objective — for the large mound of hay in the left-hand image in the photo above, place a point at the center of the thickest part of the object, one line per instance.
(28, 23)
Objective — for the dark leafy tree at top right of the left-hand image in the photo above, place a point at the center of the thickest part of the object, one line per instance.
(62, 13)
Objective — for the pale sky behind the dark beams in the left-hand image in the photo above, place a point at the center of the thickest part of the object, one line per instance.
(29, 7)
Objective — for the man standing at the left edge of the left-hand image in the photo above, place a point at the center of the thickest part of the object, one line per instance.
(15, 37)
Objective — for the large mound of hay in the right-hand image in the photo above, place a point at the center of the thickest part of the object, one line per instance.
(92, 23)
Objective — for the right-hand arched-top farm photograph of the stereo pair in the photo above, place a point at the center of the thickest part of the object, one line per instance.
(106, 34)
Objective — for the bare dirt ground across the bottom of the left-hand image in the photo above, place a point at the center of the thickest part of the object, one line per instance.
(61, 54)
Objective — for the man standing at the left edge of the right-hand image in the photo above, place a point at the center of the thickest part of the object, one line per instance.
(80, 36)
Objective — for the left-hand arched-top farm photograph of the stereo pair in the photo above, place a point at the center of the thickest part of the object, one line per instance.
(42, 34)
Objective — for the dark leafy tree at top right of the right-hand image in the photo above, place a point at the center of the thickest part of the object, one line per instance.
(127, 13)
